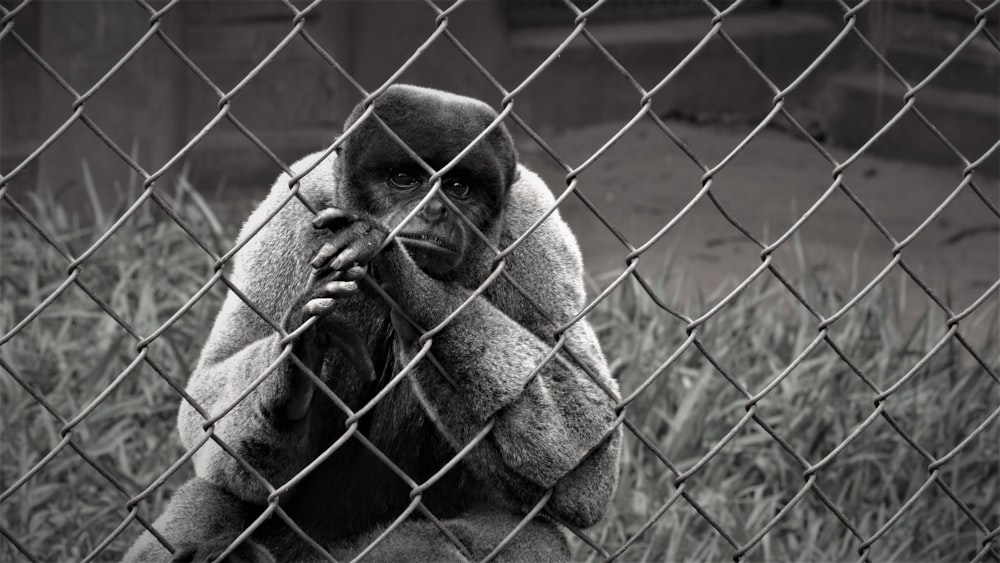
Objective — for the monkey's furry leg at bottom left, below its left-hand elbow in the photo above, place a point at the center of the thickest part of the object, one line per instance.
(200, 522)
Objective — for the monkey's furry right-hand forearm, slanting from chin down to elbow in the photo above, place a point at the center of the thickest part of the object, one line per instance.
(553, 423)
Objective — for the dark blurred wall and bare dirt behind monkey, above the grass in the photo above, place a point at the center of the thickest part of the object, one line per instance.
(155, 104)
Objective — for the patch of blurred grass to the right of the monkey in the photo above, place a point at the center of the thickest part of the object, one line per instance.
(690, 408)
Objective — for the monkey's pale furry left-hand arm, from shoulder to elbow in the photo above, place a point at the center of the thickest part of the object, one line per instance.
(242, 346)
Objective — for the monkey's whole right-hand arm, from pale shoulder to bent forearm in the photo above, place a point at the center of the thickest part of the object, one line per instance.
(546, 423)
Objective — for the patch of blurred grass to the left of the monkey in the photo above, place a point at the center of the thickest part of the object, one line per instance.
(72, 352)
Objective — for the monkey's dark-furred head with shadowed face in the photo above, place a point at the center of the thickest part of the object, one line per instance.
(376, 175)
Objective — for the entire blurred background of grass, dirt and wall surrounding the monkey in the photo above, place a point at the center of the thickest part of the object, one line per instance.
(67, 339)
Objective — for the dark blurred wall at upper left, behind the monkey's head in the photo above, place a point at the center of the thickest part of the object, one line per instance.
(155, 103)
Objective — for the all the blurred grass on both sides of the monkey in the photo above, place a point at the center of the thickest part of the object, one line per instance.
(149, 270)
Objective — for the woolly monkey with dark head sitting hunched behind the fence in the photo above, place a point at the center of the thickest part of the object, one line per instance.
(329, 277)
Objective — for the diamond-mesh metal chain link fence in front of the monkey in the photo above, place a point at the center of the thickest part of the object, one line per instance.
(680, 475)
